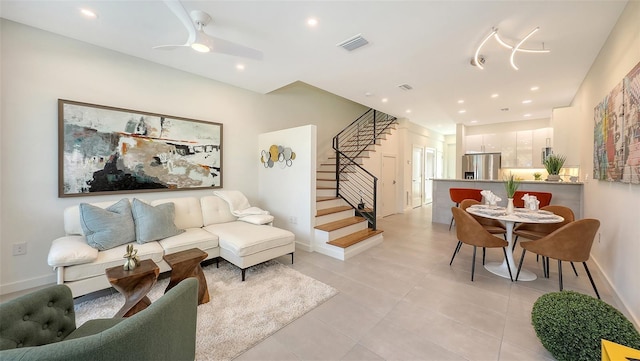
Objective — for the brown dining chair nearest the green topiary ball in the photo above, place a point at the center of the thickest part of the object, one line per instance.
(570, 243)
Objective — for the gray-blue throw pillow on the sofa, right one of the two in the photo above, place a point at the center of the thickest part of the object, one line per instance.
(154, 223)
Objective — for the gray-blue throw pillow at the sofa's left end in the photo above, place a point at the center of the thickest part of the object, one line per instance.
(107, 228)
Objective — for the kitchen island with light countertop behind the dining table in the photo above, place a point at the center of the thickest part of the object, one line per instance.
(566, 194)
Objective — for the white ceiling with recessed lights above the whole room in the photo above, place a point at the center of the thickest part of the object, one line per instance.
(426, 44)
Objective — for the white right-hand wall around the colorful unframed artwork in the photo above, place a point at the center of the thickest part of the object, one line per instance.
(616, 205)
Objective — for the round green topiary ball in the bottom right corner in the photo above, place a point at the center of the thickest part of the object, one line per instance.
(571, 325)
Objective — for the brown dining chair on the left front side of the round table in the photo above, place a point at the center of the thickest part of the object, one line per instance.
(469, 231)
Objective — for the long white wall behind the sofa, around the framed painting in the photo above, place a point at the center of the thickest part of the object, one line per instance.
(38, 67)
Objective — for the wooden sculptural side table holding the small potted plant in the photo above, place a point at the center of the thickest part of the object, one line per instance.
(134, 285)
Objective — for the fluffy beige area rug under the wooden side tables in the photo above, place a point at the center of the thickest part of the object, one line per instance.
(240, 314)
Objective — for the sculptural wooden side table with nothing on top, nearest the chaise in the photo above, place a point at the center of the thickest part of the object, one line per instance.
(185, 264)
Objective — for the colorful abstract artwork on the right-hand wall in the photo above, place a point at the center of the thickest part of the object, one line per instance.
(617, 132)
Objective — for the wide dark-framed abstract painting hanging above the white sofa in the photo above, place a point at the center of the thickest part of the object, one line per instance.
(107, 150)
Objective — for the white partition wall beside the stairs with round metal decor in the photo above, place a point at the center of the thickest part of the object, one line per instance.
(289, 192)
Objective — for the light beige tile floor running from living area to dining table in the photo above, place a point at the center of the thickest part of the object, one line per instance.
(402, 301)
